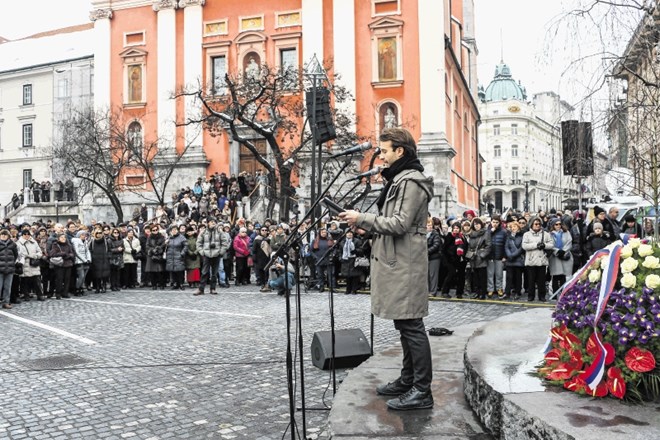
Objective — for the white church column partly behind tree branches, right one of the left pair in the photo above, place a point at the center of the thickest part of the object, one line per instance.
(192, 62)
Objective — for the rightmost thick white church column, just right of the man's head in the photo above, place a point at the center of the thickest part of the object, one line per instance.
(435, 152)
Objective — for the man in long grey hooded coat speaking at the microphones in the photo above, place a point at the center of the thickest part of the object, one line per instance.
(399, 264)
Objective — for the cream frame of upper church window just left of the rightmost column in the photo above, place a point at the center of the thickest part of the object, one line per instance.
(386, 27)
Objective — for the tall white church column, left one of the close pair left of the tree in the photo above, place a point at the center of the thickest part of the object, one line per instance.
(166, 70)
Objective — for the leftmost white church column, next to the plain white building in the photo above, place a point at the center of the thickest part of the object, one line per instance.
(101, 19)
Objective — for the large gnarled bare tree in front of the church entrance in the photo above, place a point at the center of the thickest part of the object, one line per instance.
(267, 104)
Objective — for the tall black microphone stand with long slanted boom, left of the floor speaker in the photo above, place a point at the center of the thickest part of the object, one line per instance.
(283, 250)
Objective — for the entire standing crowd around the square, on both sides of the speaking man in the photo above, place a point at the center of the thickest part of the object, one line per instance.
(197, 242)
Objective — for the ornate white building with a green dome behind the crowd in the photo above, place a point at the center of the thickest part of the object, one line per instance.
(520, 140)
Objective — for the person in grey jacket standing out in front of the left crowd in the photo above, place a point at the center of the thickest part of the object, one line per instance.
(212, 244)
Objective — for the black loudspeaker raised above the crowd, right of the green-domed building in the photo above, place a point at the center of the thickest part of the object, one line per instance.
(577, 148)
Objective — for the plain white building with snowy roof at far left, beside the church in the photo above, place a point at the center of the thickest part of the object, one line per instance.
(41, 78)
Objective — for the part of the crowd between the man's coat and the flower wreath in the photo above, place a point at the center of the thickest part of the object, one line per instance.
(520, 254)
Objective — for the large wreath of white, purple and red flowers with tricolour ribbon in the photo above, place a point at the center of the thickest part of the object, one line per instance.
(605, 338)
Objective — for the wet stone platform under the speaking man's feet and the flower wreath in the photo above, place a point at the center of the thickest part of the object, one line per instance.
(485, 367)
